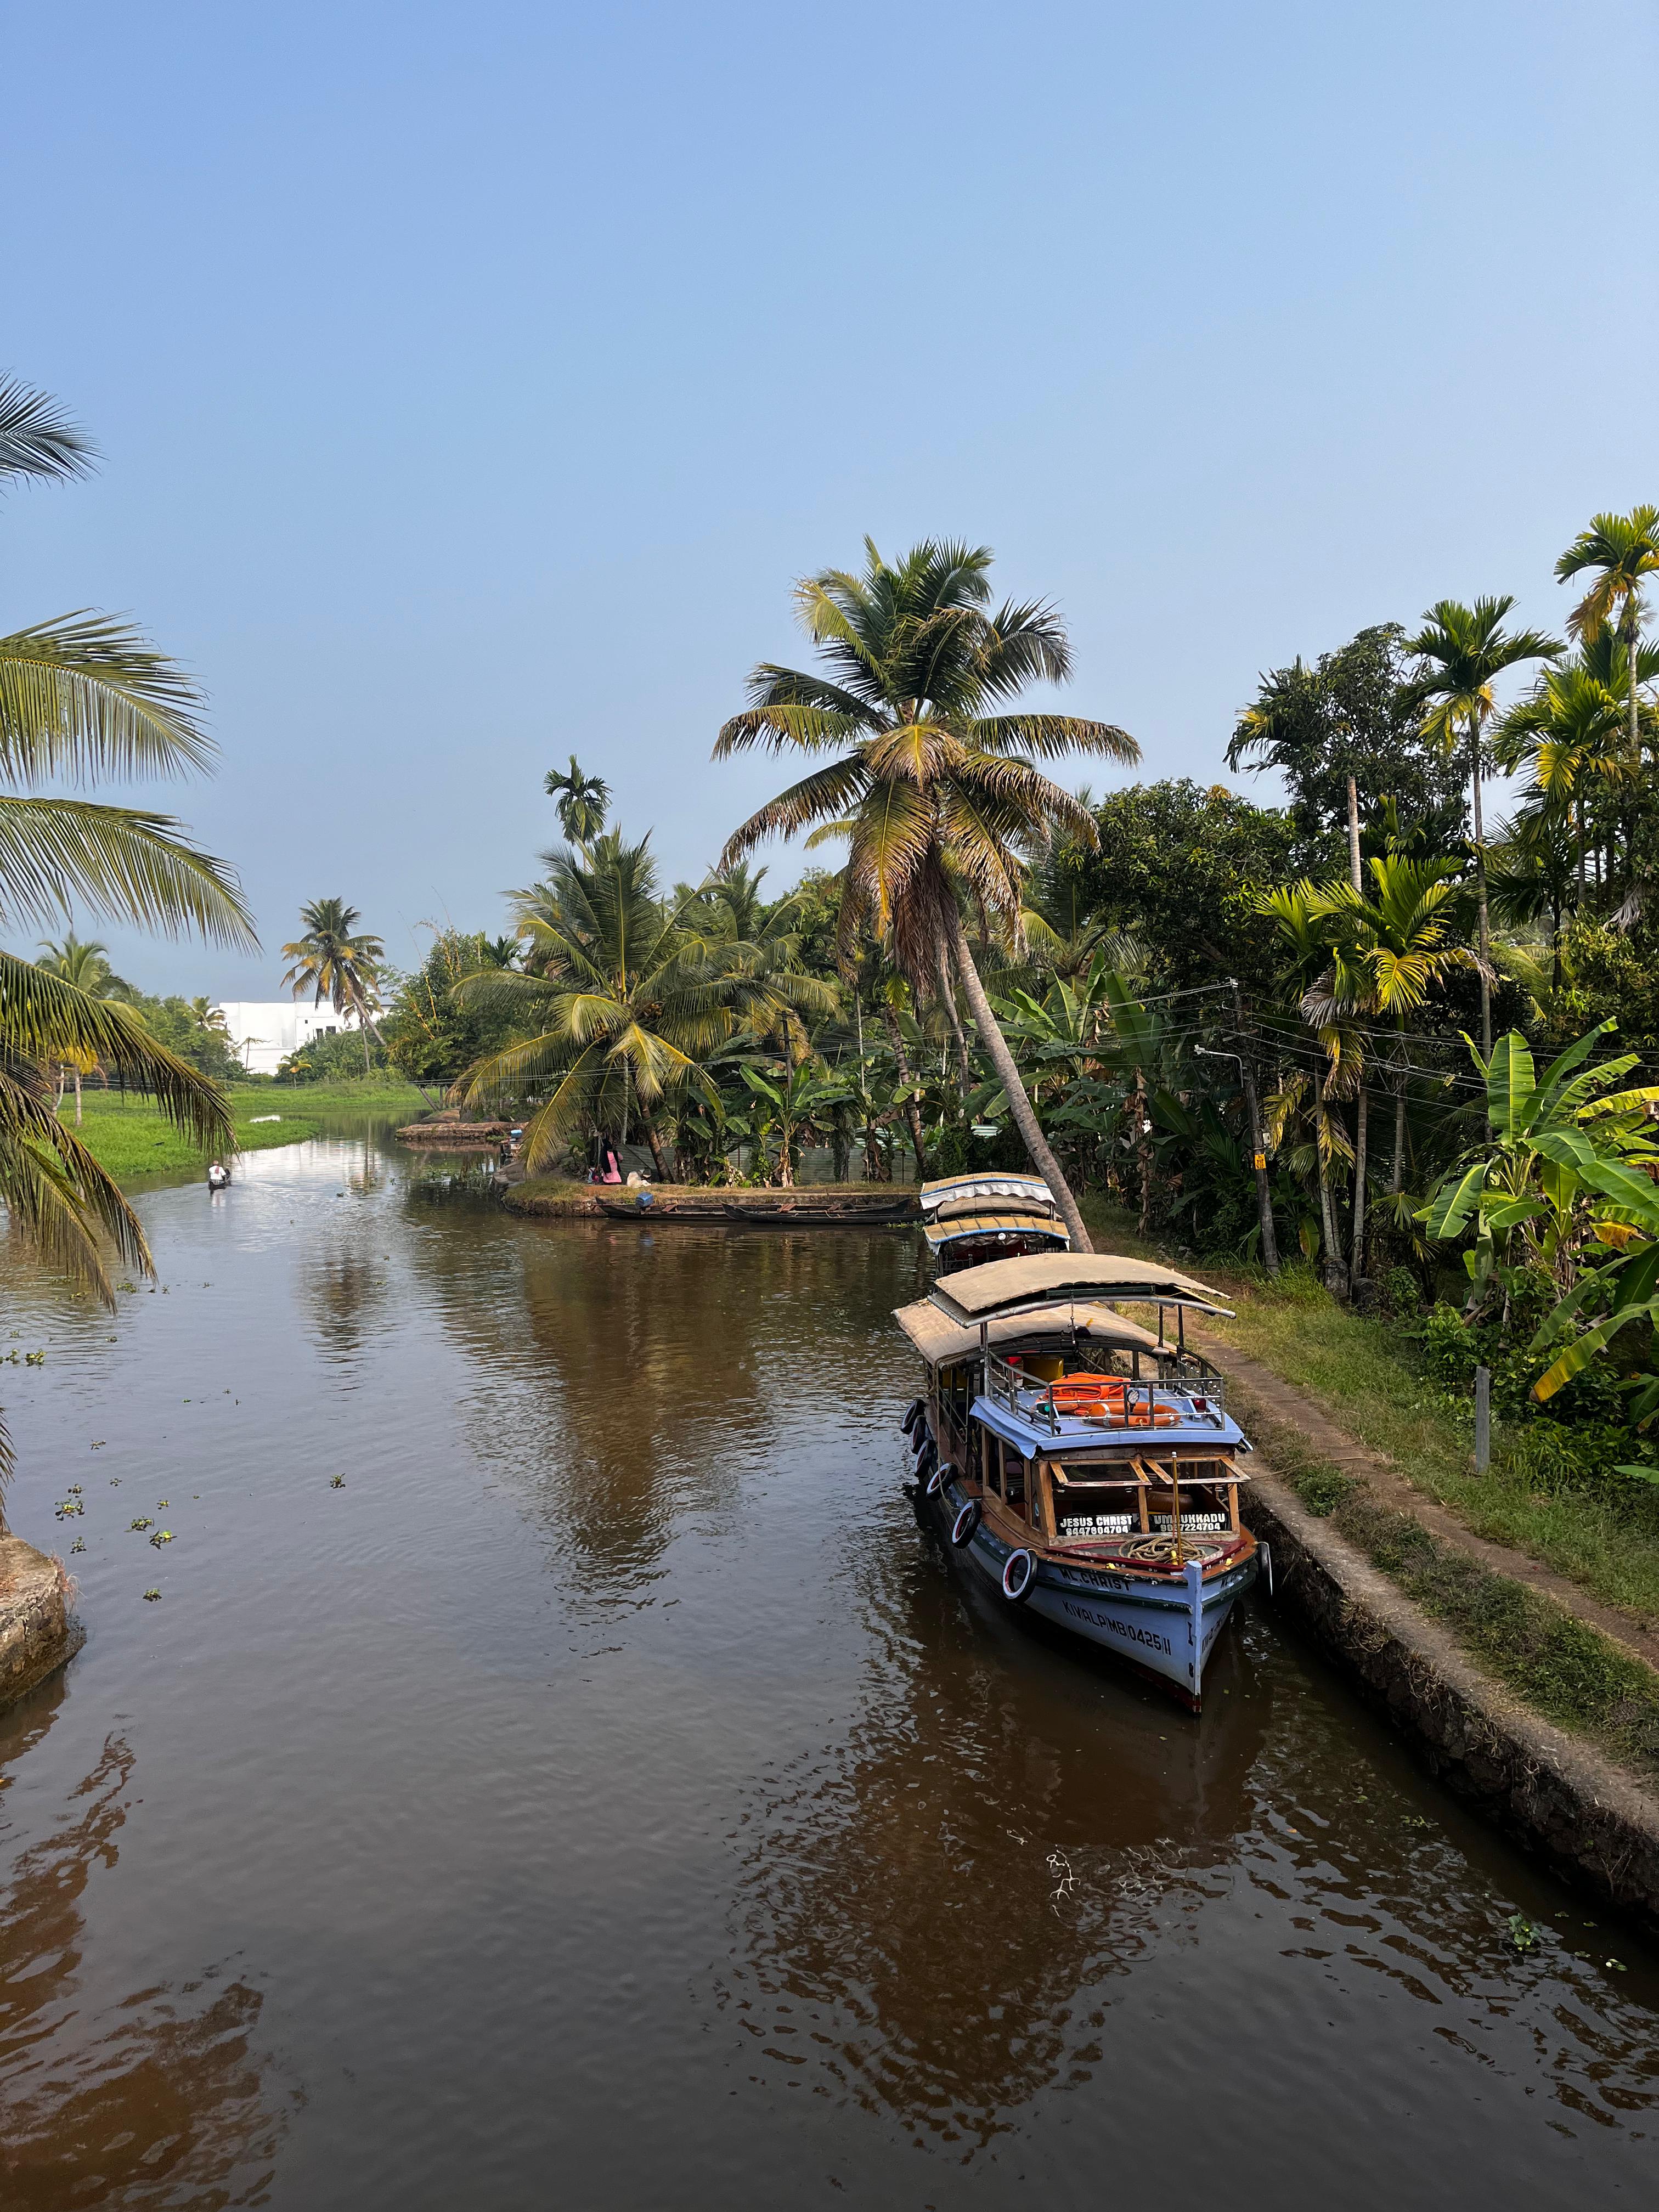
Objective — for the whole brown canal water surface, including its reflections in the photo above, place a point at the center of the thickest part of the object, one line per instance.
(559, 1773)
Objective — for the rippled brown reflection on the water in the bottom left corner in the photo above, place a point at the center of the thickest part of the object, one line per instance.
(158, 2098)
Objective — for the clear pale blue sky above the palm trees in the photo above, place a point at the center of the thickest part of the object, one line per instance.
(472, 384)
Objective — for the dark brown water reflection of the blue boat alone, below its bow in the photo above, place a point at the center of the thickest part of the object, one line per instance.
(994, 1839)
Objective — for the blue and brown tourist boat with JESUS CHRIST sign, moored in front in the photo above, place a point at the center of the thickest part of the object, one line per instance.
(1085, 1465)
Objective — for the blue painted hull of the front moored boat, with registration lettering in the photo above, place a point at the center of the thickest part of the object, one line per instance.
(1162, 1627)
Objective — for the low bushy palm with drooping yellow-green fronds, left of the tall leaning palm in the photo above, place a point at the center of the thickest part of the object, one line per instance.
(625, 997)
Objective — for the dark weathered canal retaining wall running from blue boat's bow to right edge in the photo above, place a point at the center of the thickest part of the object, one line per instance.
(1547, 1791)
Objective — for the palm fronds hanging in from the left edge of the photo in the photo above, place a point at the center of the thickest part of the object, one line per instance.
(85, 698)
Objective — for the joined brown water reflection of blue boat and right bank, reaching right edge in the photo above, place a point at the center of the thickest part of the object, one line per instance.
(941, 1914)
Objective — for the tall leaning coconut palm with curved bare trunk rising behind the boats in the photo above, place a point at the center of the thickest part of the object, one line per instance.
(932, 766)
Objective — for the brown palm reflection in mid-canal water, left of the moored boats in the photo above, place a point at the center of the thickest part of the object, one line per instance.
(638, 1377)
